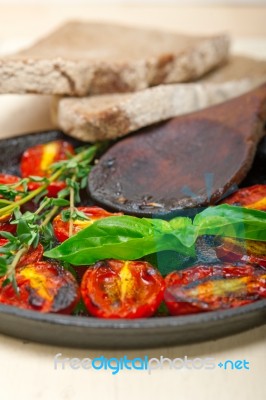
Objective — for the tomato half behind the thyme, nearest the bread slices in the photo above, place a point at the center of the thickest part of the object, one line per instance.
(36, 161)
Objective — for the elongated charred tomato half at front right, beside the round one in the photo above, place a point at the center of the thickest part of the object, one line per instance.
(213, 287)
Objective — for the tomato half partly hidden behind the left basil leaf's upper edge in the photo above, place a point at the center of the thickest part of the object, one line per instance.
(61, 228)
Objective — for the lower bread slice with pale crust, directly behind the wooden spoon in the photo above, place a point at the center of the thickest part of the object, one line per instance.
(111, 116)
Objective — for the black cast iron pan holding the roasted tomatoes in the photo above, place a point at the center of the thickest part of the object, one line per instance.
(88, 332)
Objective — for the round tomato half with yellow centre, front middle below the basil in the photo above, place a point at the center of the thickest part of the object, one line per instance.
(122, 289)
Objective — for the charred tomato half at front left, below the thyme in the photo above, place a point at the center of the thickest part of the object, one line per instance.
(43, 287)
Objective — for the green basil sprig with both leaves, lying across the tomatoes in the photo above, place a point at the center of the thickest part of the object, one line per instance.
(131, 238)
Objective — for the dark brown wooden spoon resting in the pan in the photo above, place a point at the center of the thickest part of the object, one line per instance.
(185, 162)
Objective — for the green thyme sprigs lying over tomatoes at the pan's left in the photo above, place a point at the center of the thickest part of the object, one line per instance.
(35, 227)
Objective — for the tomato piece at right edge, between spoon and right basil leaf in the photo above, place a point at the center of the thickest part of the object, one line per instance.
(251, 197)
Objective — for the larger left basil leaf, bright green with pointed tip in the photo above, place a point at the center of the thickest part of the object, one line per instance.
(124, 238)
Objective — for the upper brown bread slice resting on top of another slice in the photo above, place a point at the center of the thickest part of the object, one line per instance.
(82, 58)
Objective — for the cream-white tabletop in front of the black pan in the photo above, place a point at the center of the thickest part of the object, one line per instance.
(27, 373)
